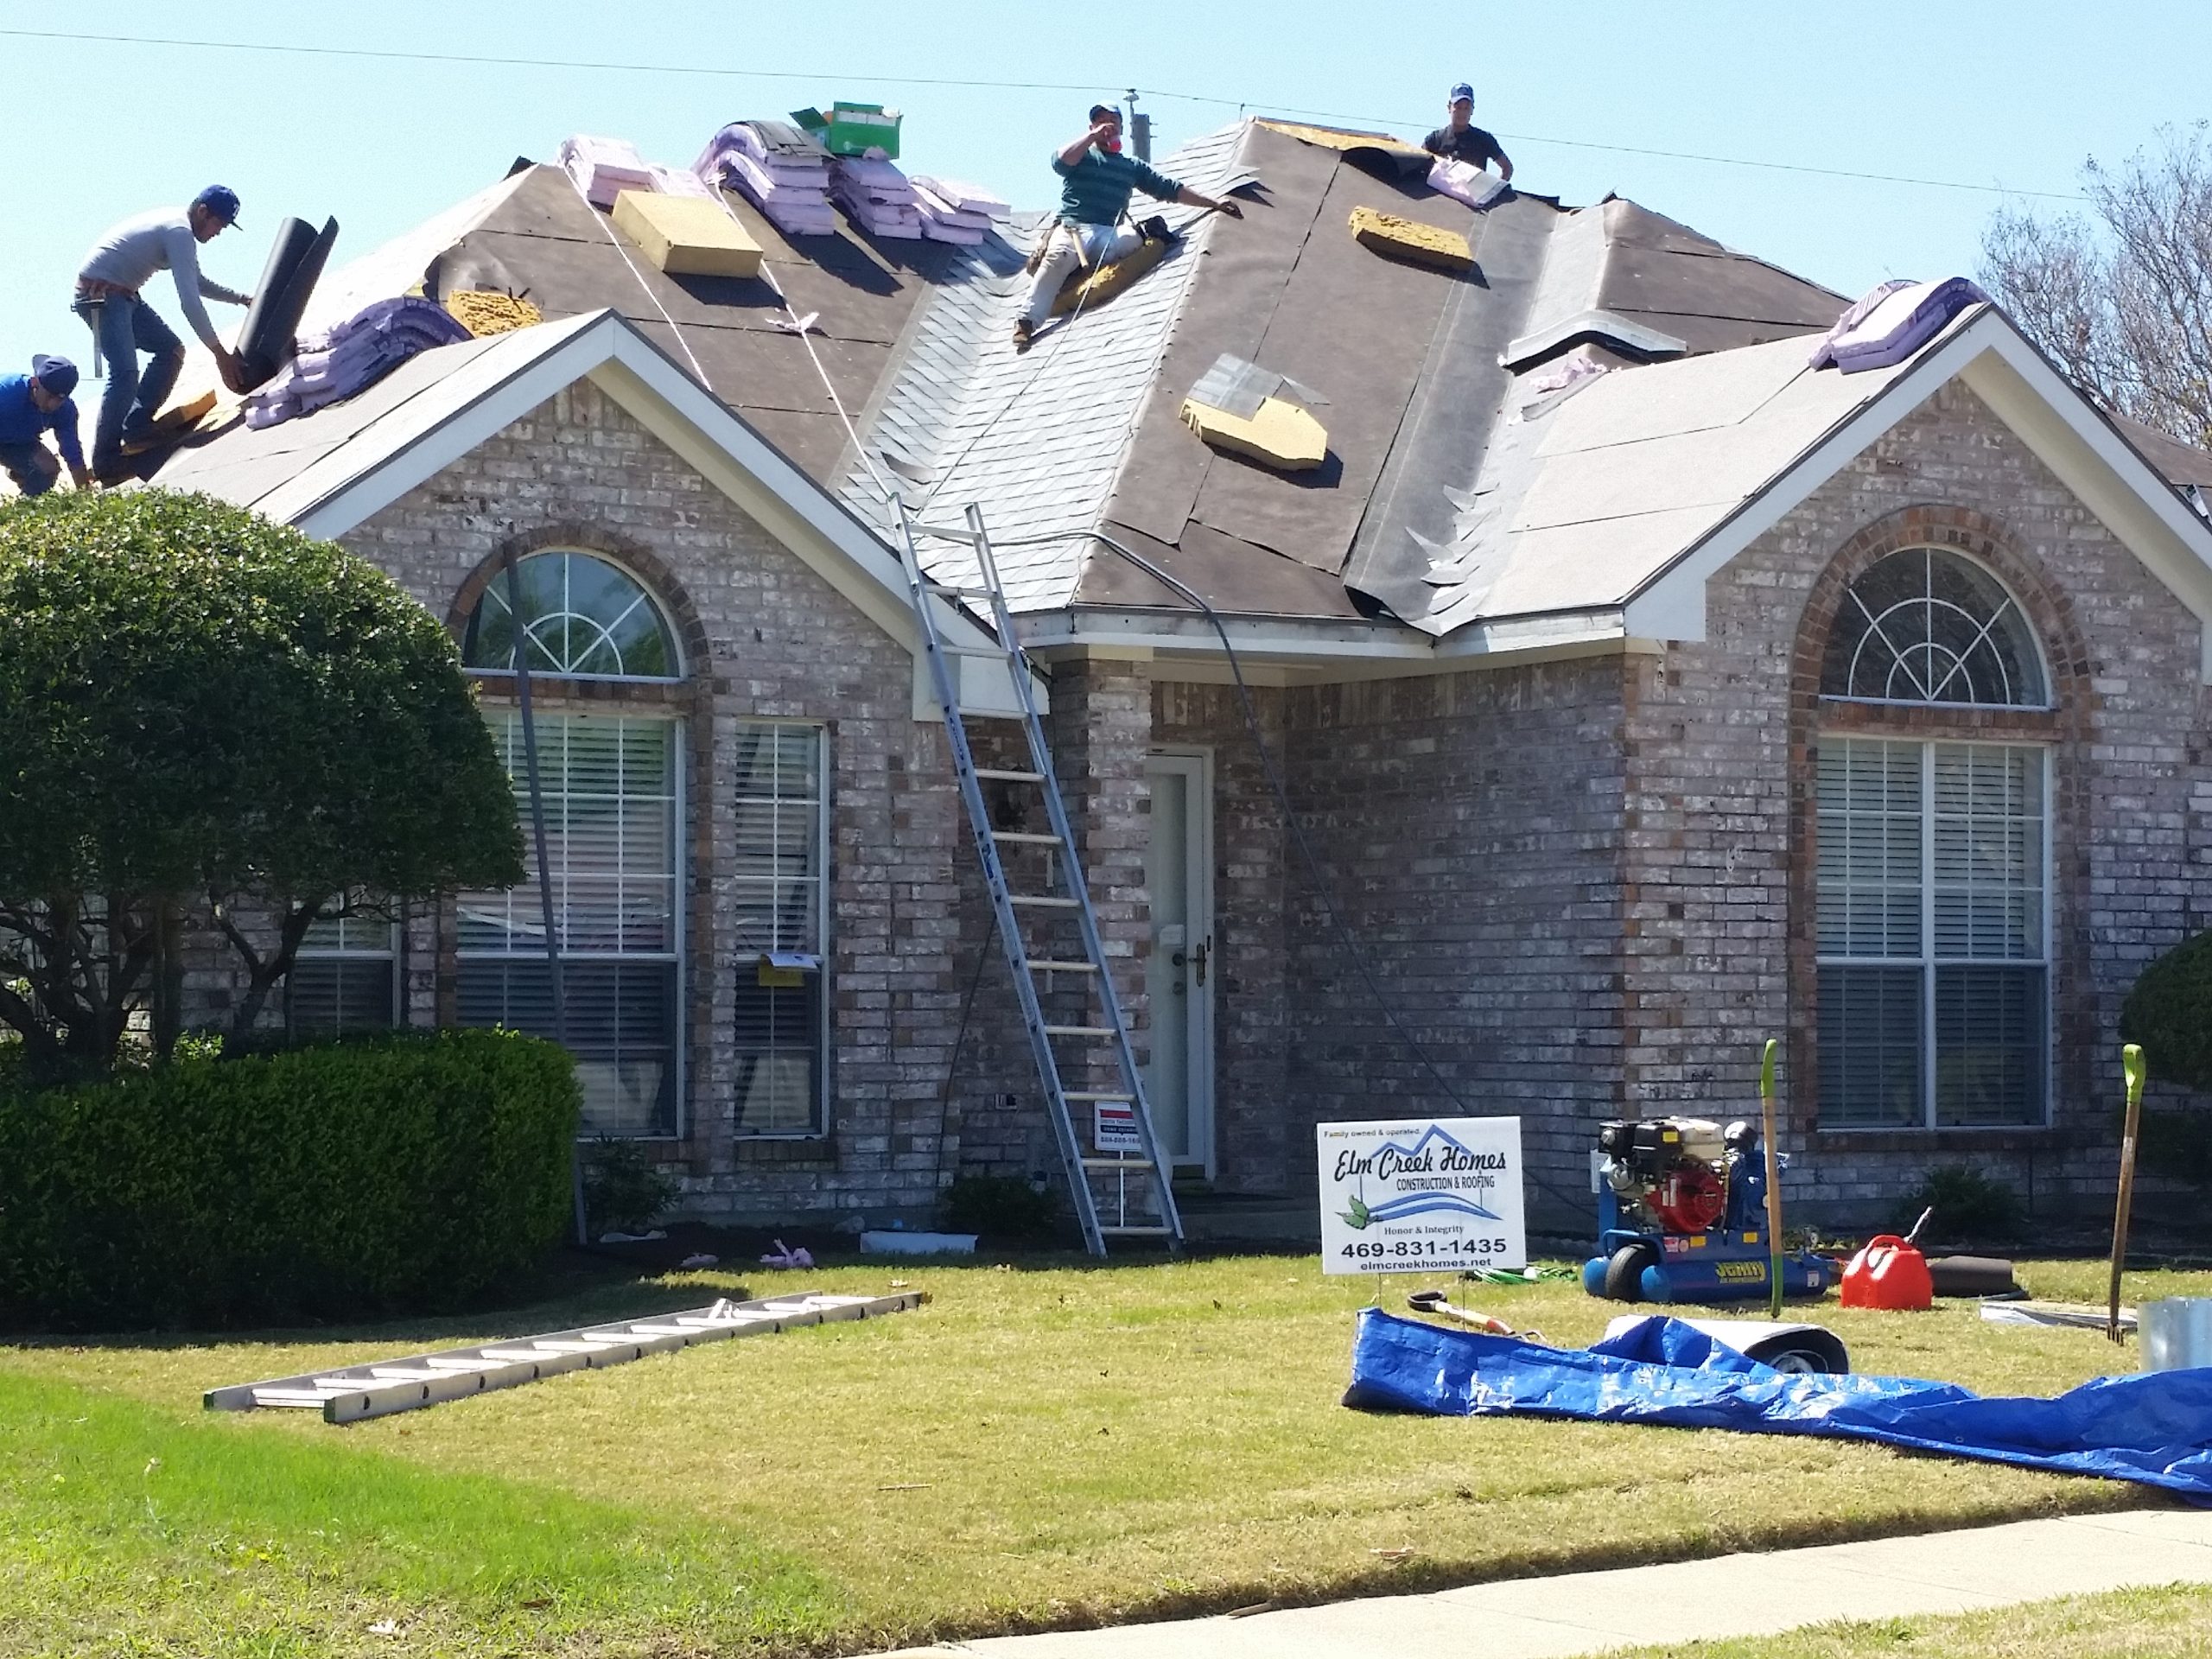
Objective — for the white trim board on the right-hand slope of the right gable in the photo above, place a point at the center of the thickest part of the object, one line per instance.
(2105, 474)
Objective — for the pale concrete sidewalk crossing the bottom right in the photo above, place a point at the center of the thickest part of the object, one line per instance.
(1729, 1596)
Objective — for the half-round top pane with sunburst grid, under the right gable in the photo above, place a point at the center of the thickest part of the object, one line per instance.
(1932, 627)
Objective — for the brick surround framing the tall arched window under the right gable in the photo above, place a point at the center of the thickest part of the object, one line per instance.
(2067, 729)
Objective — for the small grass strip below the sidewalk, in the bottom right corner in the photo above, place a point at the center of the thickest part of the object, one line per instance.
(2125, 1625)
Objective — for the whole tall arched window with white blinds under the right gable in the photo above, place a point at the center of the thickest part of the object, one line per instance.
(1934, 859)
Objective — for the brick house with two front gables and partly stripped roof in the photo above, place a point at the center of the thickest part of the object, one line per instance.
(1638, 691)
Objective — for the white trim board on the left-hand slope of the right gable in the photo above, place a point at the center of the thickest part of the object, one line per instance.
(1673, 603)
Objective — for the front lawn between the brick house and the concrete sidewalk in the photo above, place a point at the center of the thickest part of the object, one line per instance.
(1043, 1446)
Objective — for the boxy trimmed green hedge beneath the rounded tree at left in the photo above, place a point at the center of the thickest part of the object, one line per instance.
(395, 1176)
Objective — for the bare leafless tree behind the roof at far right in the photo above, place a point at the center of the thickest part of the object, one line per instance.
(2122, 300)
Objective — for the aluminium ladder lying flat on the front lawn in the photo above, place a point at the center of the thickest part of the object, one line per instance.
(355, 1392)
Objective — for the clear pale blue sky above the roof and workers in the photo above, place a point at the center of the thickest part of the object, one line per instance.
(2005, 96)
